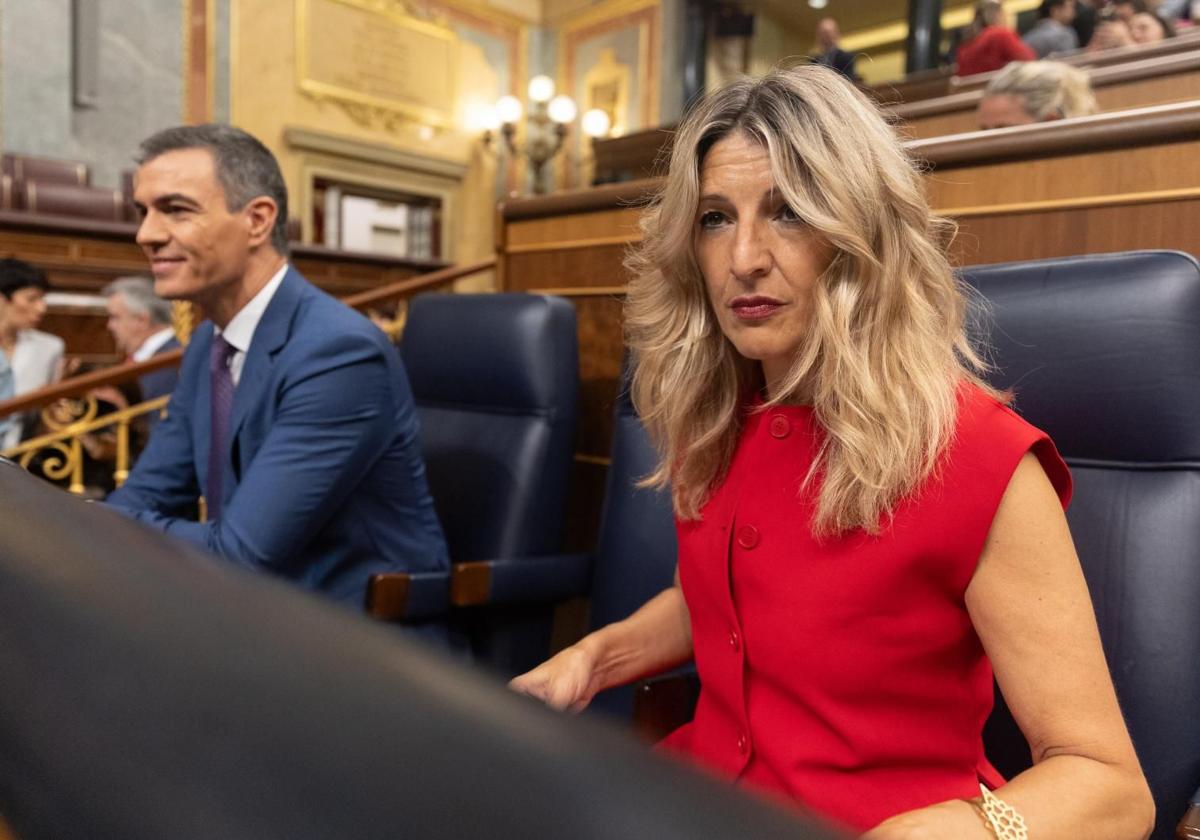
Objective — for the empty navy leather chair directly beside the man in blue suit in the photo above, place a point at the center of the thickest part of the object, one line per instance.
(496, 382)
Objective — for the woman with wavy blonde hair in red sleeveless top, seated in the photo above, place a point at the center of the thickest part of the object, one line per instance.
(867, 533)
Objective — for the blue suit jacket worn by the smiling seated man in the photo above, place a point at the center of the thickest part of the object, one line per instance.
(325, 482)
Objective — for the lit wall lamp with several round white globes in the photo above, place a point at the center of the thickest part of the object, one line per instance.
(545, 127)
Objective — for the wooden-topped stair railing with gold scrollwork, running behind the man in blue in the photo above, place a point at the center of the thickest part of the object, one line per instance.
(70, 410)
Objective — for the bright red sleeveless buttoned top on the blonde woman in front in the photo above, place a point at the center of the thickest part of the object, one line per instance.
(845, 674)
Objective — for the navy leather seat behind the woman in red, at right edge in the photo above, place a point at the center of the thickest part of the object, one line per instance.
(1105, 355)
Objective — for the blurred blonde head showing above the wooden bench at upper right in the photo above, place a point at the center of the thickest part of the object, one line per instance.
(1035, 92)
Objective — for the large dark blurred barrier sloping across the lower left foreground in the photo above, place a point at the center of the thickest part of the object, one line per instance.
(149, 692)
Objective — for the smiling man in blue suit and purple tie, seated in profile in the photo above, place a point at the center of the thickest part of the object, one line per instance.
(293, 416)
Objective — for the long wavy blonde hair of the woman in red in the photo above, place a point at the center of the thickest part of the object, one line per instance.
(887, 349)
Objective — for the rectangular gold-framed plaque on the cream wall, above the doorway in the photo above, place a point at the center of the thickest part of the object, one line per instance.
(377, 62)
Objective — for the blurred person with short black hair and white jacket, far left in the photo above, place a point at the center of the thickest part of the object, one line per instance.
(31, 359)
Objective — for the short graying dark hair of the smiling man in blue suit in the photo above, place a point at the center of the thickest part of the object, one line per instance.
(245, 167)
